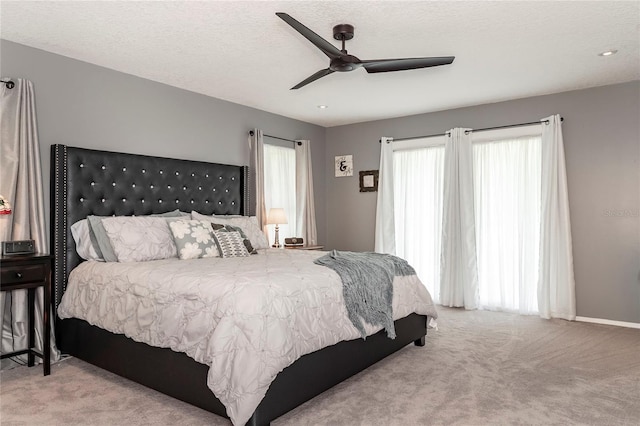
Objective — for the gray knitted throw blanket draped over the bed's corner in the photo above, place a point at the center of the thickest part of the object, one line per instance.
(367, 286)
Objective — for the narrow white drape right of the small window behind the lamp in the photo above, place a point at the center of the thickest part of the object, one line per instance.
(305, 206)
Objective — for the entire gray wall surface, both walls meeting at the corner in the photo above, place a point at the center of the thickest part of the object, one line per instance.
(85, 105)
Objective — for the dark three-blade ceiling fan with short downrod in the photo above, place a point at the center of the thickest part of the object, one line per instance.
(341, 61)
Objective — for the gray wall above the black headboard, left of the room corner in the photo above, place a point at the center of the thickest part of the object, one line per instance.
(81, 104)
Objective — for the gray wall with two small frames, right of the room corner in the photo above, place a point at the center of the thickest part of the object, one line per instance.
(602, 146)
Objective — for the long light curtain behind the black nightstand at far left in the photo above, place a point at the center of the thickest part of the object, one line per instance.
(21, 185)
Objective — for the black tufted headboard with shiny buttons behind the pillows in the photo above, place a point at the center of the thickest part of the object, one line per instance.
(89, 182)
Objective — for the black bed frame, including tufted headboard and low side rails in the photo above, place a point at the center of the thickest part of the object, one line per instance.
(89, 182)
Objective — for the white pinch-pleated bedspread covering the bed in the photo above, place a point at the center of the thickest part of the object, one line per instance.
(247, 318)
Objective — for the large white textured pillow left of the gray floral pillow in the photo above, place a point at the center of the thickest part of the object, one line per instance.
(139, 238)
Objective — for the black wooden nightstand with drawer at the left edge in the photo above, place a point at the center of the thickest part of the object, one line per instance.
(30, 272)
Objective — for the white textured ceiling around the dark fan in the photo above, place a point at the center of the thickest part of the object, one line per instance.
(243, 53)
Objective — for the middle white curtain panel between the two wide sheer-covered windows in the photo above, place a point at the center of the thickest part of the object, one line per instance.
(459, 272)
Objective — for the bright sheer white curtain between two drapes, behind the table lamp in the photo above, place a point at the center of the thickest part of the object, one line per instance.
(280, 187)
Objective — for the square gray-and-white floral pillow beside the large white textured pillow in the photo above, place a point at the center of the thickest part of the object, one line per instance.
(194, 239)
